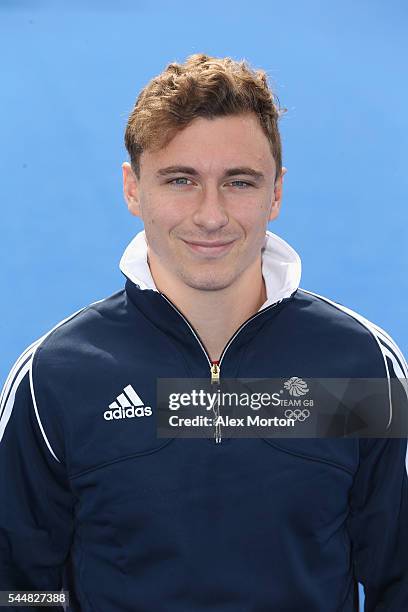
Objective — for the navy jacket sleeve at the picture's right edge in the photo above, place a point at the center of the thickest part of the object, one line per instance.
(378, 520)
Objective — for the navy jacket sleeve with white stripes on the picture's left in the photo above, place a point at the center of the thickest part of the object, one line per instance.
(36, 509)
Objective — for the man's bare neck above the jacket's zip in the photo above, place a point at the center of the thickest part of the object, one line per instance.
(216, 315)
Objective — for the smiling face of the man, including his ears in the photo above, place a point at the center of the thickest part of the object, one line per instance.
(213, 183)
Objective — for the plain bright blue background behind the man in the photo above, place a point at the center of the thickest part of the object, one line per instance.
(70, 74)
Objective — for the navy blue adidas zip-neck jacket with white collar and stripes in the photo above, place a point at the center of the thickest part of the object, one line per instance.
(130, 522)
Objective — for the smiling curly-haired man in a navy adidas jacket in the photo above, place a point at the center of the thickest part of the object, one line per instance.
(94, 501)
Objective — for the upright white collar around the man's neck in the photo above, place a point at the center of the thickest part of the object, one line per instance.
(281, 266)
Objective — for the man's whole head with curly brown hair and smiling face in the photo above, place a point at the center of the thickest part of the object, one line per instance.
(206, 167)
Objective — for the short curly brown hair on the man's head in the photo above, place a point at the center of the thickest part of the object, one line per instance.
(203, 86)
